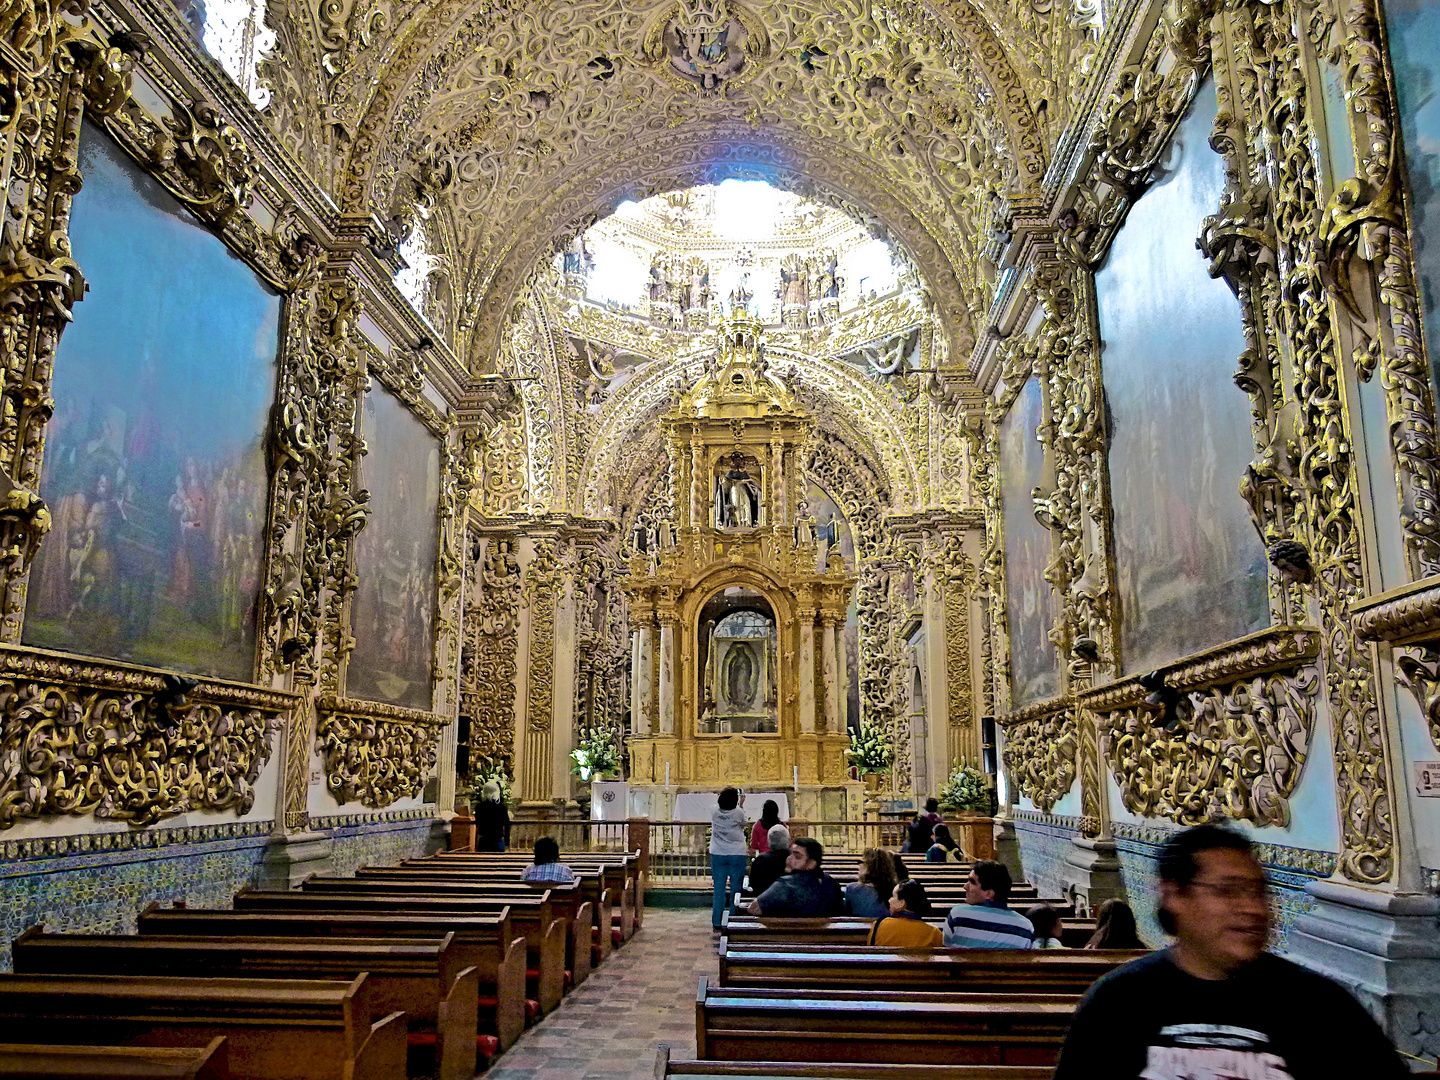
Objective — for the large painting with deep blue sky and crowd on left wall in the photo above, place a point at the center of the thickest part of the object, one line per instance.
(155, 464)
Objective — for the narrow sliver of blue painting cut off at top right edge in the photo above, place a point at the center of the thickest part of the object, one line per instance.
(1415, 28)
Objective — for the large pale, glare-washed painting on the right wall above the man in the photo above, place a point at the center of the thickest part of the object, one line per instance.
(1192, 568)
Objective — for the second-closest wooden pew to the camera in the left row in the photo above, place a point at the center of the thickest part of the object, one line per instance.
(274, 1029)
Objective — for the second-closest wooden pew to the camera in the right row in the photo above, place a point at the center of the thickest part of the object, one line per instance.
(892, 1027)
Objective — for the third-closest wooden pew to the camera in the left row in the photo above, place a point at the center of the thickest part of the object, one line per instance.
(418, 977)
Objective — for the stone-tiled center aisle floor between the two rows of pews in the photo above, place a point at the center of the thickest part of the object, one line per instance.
(644, 994)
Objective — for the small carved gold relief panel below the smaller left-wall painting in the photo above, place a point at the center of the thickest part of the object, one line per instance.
(377, 754)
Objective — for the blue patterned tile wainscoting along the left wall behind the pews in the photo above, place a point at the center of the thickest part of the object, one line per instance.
(97, 883)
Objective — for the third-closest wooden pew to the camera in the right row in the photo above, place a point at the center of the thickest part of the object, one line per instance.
(968, 971)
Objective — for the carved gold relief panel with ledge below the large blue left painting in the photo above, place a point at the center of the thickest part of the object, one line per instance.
(127, 744)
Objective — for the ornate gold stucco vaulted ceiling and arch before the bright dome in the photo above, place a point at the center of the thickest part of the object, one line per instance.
(516, 125)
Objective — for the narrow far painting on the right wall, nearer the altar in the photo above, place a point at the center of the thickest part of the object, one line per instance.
(1030, 600)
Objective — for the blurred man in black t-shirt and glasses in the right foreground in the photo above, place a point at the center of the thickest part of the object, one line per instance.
(1216, 1006)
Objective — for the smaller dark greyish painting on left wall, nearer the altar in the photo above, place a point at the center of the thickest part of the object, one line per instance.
(394, 613)
